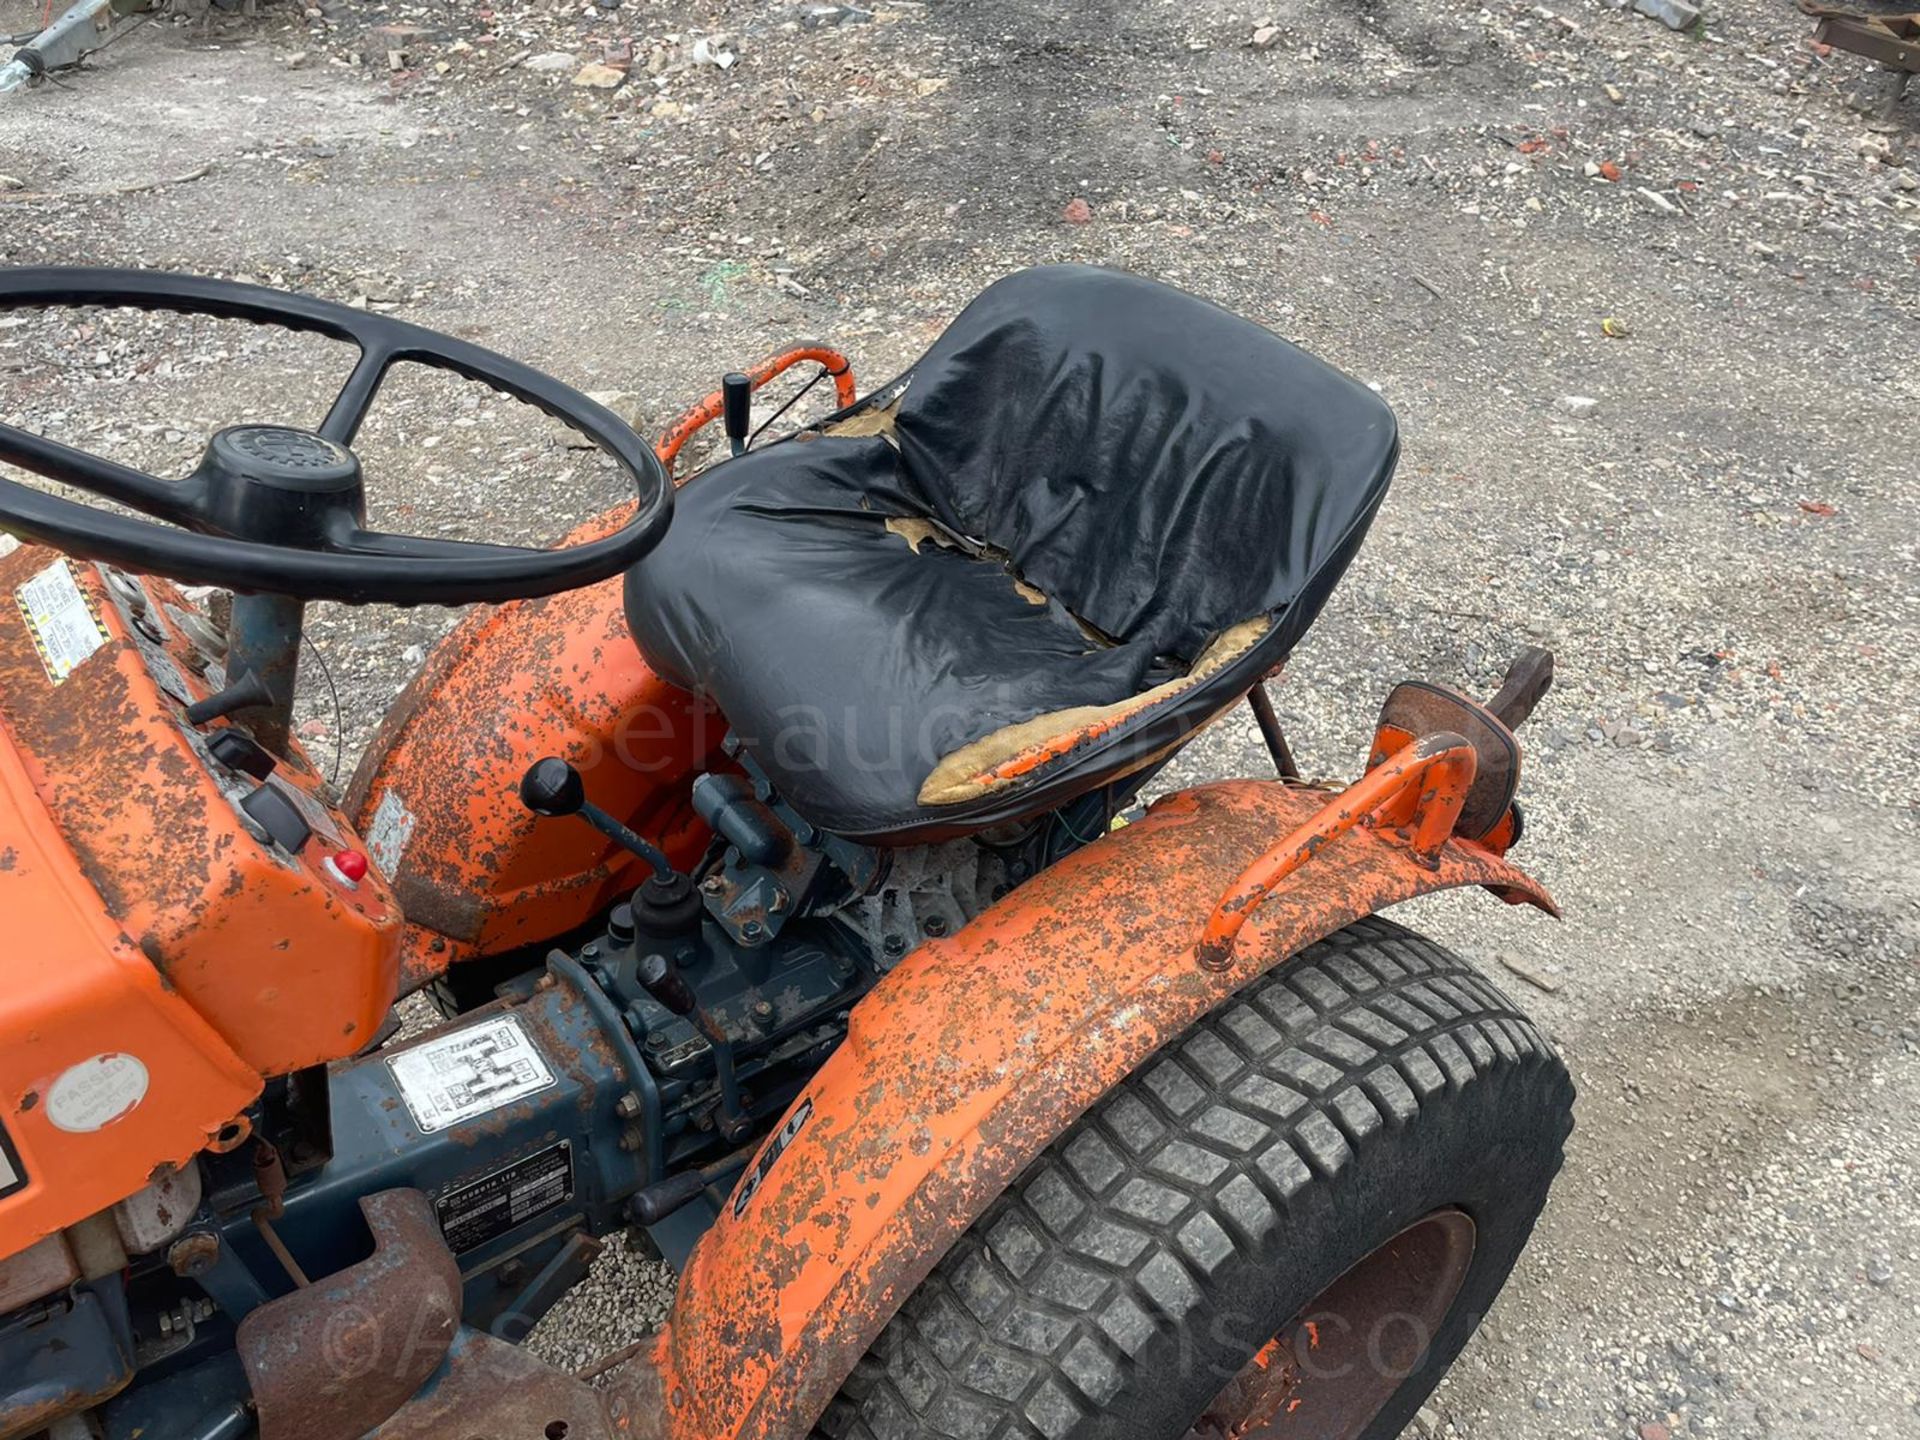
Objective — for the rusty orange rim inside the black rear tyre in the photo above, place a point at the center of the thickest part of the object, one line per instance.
(1333, 1368)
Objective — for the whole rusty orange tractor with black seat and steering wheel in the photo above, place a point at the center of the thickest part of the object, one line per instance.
(773, 875)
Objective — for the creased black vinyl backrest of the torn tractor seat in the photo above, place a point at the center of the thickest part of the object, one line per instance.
(1159, 466)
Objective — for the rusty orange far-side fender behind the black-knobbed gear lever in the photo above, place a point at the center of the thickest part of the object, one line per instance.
(439, 792)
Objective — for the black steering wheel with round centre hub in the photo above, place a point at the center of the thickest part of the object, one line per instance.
(277, 510)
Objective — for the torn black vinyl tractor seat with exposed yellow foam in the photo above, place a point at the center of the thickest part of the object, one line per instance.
(1080, 529)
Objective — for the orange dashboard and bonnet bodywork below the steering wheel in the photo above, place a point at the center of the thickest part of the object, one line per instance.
(162, 959)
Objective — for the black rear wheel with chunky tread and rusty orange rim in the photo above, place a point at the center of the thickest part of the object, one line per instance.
(1287, 1222)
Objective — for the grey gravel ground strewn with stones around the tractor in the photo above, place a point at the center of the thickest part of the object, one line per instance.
(1646, 304)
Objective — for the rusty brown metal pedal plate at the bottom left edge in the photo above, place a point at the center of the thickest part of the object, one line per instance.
(337, 1358)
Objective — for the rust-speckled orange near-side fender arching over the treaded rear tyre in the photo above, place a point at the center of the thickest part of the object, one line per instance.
(976, 1053)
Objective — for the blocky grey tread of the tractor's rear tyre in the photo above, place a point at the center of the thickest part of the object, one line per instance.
(1026, 1328)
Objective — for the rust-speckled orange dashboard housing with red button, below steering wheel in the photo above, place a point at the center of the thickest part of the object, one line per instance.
(283, 961)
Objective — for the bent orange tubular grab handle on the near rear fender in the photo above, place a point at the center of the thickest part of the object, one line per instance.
(1416, 798)
